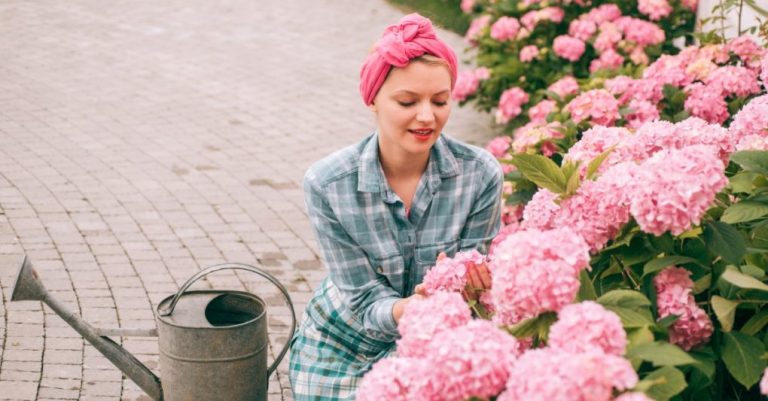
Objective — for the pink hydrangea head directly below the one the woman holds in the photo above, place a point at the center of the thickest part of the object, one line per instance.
(423, 319)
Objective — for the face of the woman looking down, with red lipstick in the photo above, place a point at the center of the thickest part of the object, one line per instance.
(412, 107)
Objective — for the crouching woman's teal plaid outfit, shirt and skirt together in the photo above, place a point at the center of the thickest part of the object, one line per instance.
(377, 253)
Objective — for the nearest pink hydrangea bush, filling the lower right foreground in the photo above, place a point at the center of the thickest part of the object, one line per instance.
(636, 272)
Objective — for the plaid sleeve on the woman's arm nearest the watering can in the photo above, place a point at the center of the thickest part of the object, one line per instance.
(367, 294)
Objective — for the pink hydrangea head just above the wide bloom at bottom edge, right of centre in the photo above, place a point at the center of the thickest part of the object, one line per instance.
(588, 327)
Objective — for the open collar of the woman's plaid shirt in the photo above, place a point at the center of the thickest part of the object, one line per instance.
(442, 163)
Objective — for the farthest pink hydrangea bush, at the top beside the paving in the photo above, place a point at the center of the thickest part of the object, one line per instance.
(524, 47)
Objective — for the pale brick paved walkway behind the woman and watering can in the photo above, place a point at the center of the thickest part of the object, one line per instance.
(143, 140)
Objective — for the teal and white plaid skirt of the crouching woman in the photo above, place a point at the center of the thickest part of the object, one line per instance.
(329, 353)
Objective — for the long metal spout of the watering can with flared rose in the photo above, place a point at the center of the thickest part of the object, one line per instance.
(29, 287)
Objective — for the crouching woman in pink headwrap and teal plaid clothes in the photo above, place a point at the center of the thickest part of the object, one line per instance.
(385, 208)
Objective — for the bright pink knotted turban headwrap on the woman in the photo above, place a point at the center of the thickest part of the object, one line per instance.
(399, 44)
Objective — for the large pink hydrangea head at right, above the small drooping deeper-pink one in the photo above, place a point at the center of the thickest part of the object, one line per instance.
(674, 188)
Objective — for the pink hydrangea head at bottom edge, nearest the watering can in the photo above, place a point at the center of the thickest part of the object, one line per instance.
(386, 381)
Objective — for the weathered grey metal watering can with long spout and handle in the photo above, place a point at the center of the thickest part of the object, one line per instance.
(213, 344)
